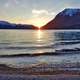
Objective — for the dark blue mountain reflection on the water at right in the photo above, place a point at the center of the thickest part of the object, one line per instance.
(73, 35)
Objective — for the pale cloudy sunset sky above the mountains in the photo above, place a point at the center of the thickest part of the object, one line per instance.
(35, 12)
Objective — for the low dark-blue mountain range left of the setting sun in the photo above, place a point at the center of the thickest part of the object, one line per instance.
(7, 25)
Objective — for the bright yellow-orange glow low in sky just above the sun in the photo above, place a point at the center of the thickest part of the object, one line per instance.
(38, 22)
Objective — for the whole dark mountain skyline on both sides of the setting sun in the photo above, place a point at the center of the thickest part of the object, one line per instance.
(69, 18)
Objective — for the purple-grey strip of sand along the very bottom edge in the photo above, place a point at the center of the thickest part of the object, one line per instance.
(39, 77)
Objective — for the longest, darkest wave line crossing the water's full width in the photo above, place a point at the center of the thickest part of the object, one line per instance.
(57, 52)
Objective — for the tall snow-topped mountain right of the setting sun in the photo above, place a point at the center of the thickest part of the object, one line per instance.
(67, 19)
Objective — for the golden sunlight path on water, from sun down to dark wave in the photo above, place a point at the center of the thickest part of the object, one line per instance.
(43, 40)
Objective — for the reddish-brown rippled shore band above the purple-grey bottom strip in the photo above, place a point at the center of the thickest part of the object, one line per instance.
(41, 69)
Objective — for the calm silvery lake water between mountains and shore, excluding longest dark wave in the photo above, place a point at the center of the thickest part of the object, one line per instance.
(38, 41)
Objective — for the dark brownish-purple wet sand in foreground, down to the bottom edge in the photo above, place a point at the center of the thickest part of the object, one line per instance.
(9, 73)
